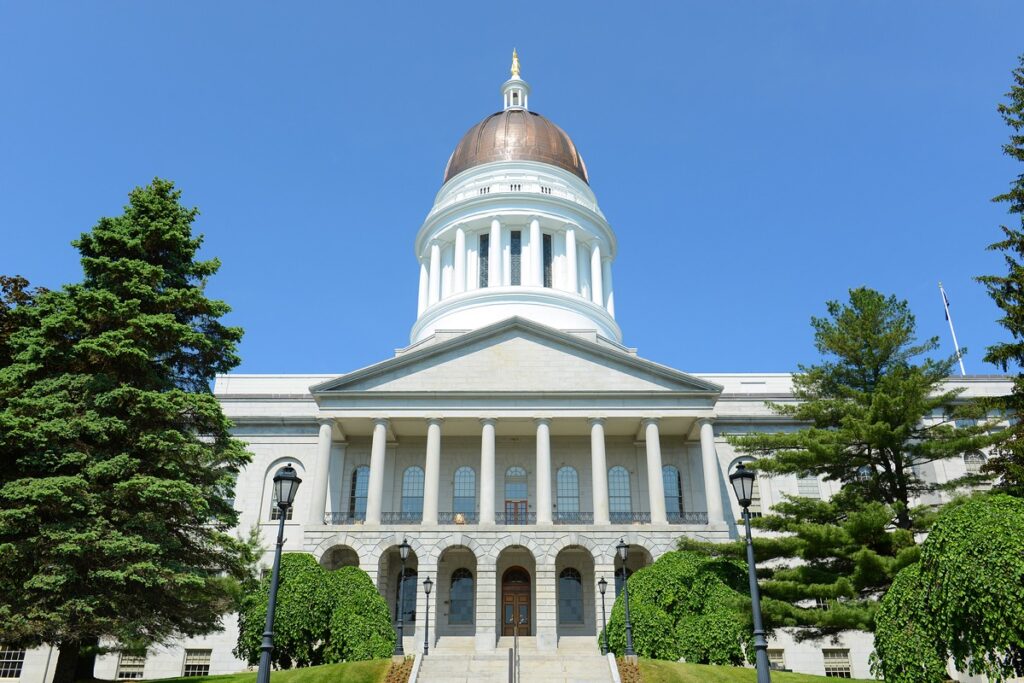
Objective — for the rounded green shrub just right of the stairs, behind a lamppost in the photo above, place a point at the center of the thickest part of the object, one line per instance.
(687, 606)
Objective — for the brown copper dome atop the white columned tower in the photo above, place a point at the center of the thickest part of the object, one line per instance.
(517, 136)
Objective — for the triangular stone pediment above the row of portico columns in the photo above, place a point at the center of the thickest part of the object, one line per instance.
(518, 356)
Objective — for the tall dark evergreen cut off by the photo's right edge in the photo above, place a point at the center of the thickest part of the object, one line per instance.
(1008, 293)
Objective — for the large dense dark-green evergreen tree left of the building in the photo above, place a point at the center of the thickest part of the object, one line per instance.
(118, 465)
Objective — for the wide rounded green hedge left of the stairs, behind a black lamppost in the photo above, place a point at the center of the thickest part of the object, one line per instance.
(322, 617)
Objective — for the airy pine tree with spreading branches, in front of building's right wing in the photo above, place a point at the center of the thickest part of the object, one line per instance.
(873, 413)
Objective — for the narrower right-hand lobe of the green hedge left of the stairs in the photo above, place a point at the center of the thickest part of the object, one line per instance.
(361, 627)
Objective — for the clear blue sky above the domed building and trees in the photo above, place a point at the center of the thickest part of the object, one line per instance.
(755, 159)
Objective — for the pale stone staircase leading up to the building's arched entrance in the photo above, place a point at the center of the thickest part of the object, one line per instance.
(454, 661)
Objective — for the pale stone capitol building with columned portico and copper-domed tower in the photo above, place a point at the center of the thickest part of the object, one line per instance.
(517, 439)
